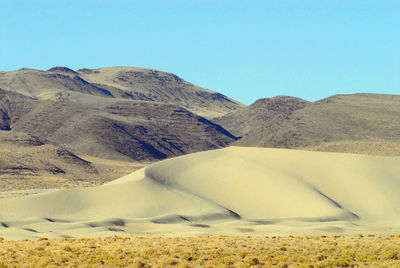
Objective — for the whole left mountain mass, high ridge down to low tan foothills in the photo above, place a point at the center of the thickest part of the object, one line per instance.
(102, 119)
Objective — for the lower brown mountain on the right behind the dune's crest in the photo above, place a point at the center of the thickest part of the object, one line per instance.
(359, 123)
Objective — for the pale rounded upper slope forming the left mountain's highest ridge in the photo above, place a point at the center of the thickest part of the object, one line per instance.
(149, 84)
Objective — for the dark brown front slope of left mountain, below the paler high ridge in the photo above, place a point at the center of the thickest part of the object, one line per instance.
(113, 128)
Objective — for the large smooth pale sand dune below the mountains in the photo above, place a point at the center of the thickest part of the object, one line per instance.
(234, 190)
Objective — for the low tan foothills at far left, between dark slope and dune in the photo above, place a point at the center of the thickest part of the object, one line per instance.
(28, 163)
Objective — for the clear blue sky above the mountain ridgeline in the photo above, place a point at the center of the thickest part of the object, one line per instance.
(243, 49)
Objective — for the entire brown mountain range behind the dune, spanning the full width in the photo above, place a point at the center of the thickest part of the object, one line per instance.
(61, 128)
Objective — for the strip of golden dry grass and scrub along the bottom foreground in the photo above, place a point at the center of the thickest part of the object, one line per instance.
(219, 251)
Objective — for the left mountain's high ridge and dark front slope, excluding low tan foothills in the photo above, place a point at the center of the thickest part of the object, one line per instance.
(120, 113)
